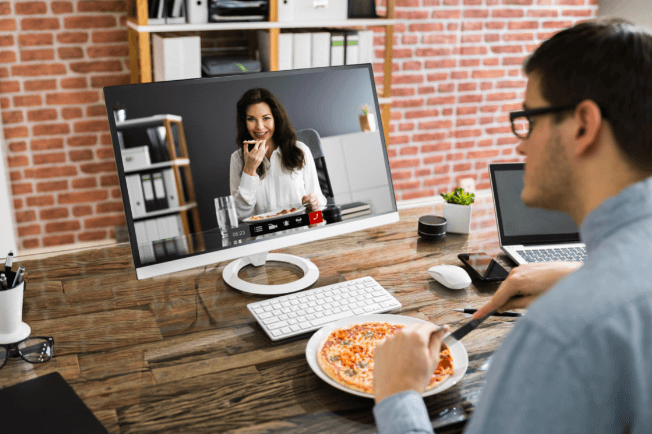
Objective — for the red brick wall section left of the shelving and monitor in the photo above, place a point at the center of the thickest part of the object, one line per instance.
(55, 57)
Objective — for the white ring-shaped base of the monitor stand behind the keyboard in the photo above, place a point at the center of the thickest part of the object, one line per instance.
(310, 274)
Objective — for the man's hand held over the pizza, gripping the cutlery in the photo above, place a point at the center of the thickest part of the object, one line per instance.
(407, 360)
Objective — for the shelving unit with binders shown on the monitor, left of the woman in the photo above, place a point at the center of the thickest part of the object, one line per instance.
(160, 187)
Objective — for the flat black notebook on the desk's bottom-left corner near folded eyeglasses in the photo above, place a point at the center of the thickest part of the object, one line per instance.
(48, 404)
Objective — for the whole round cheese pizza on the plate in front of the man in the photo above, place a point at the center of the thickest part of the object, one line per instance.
(347, 355)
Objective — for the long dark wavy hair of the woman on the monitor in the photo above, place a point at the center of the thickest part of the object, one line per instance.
(292, 157)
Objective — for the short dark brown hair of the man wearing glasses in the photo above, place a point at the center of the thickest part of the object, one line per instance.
(608, 61)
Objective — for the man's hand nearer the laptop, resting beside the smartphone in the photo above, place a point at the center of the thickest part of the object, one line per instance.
(525, 284)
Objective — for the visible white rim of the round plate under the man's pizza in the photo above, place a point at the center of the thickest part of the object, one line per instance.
(460, 357)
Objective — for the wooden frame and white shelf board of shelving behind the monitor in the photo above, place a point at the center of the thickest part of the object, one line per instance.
(140, 59)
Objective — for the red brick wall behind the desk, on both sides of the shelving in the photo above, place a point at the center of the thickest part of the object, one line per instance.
(456, 75)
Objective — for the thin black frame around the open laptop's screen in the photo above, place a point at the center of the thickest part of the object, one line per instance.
(521, 239)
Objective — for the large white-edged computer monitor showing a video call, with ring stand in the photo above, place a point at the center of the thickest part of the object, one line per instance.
(179, 149)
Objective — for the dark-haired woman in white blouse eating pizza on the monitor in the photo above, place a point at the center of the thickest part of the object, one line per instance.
(271, 170)
